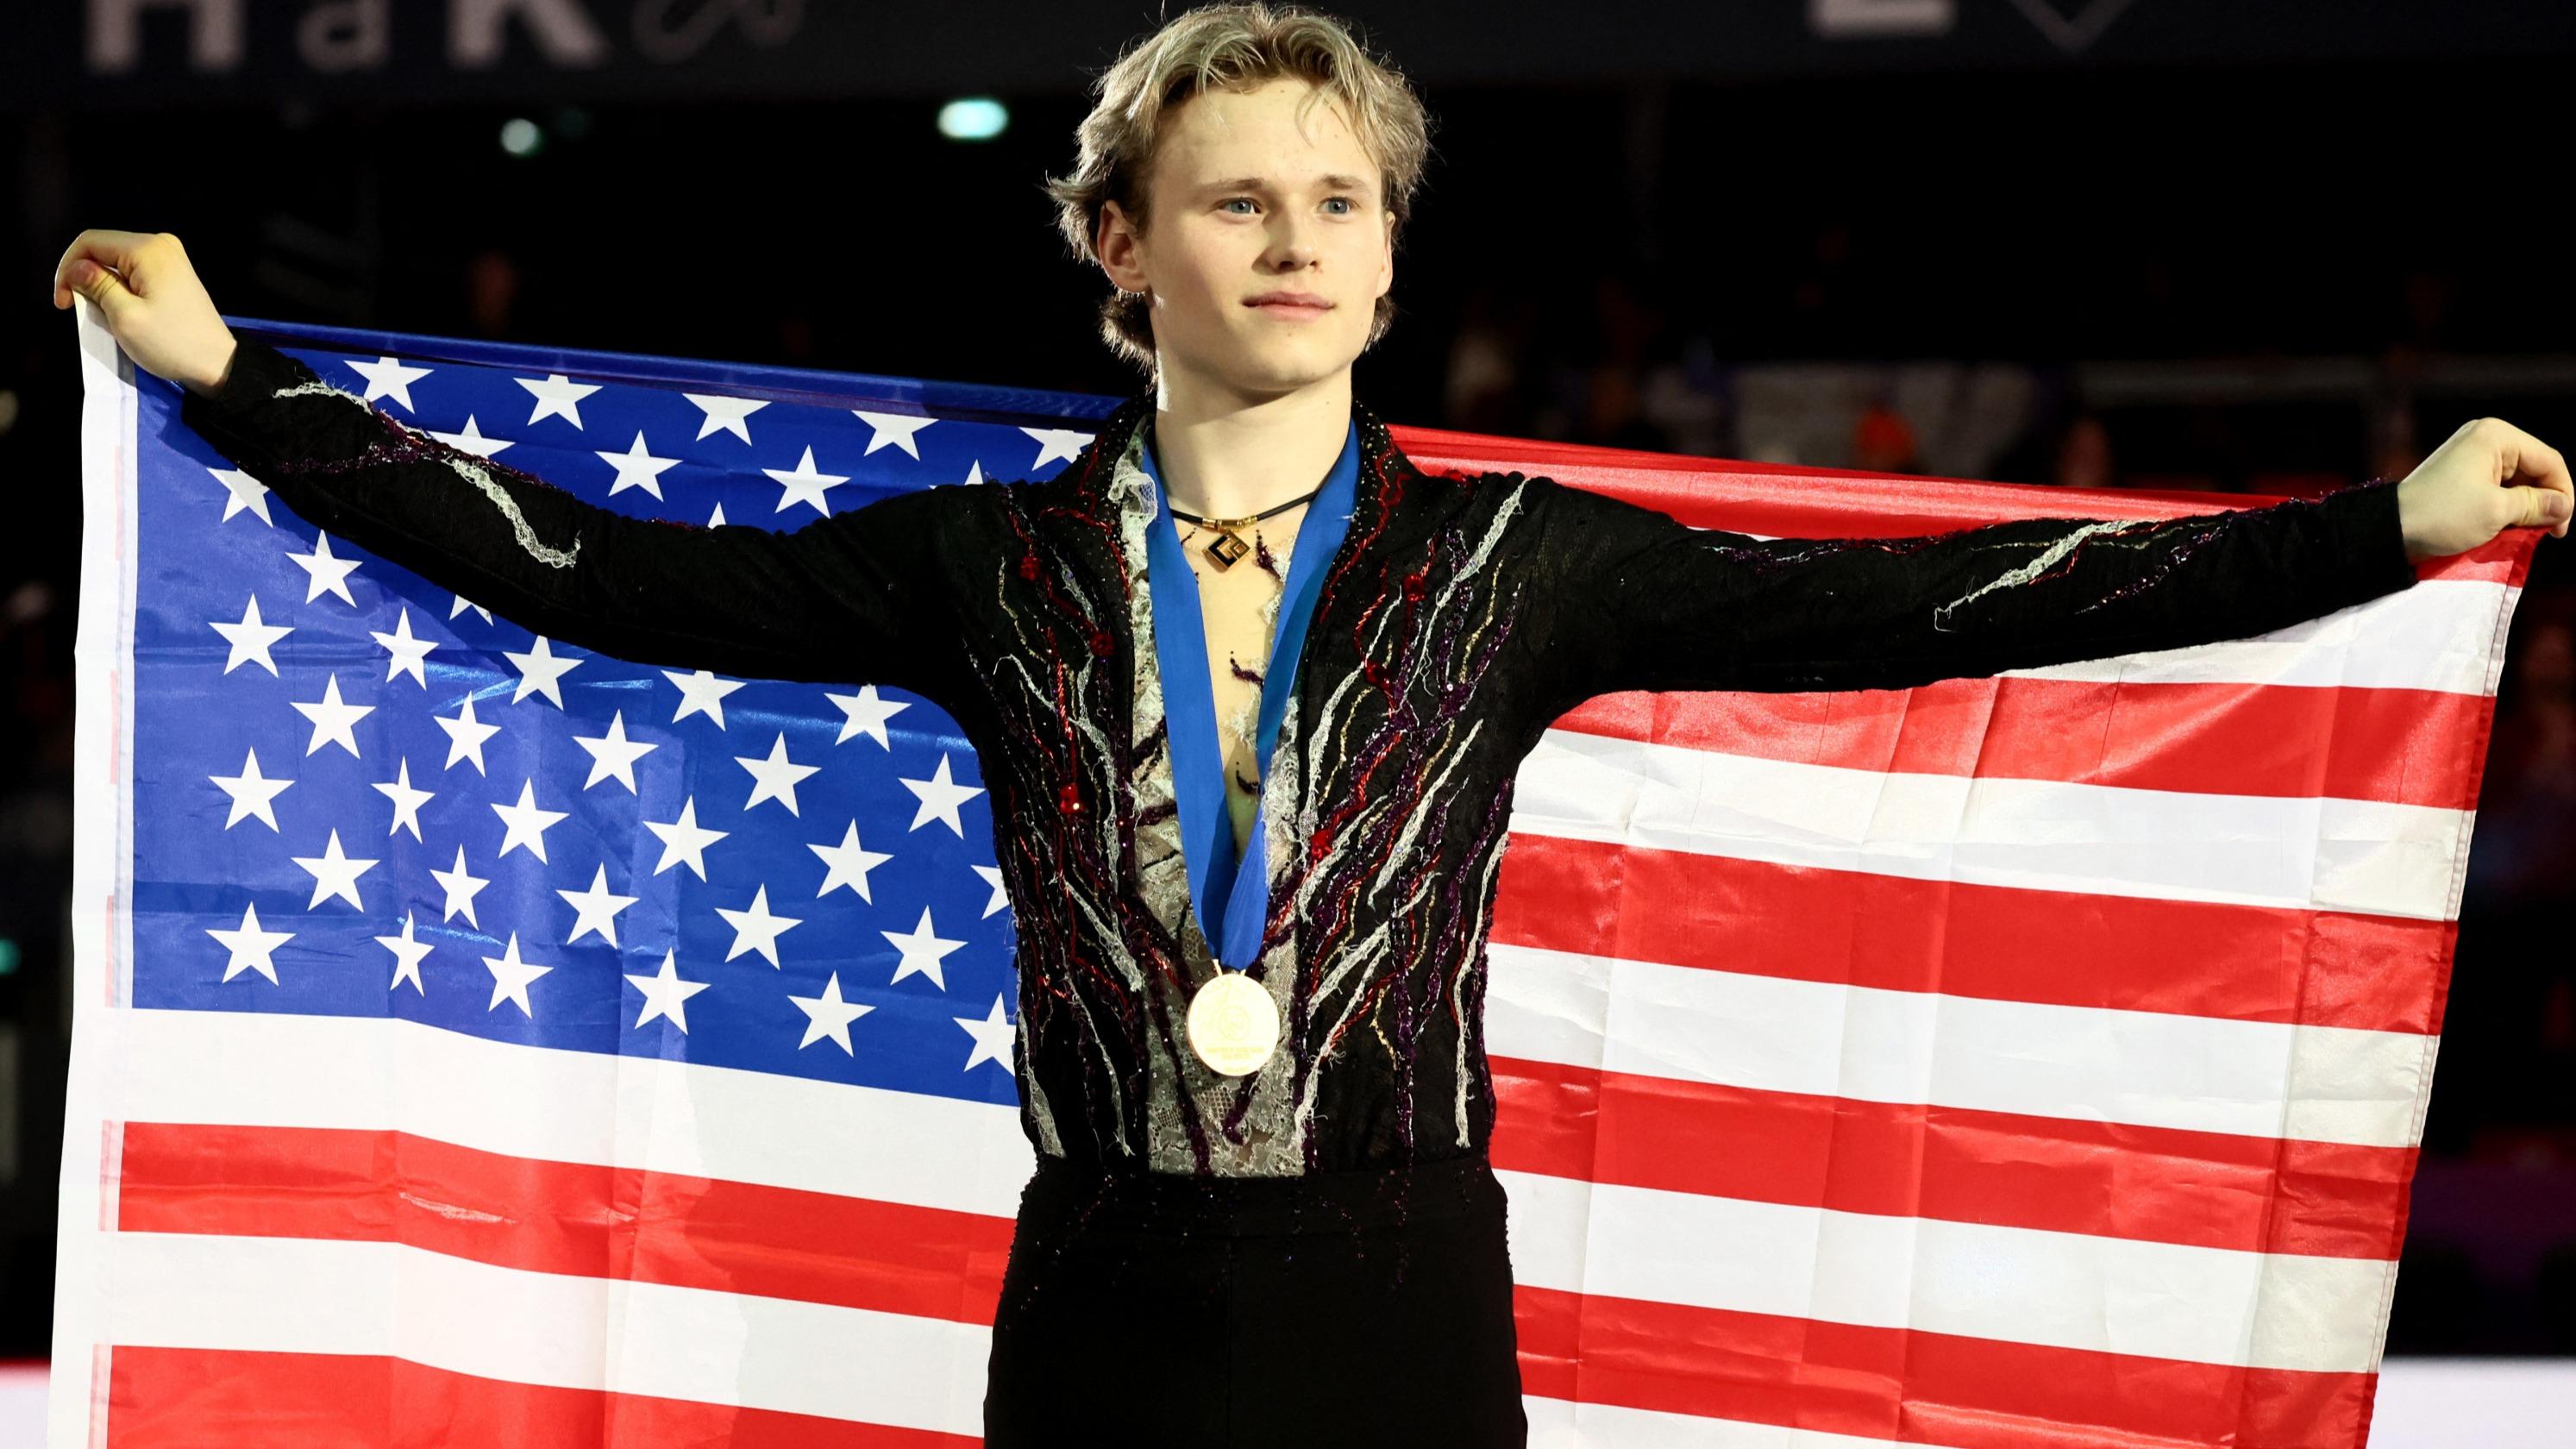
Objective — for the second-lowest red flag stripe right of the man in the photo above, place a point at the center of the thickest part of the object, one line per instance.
(2204, 1190)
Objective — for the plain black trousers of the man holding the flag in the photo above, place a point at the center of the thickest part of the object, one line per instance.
(1248, 1314)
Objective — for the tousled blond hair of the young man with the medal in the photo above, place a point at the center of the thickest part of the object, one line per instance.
(1227, 48)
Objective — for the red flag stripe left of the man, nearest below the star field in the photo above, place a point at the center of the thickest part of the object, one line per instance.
(563, 1218)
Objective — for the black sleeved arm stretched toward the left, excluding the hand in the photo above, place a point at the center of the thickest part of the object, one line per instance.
(851, 597)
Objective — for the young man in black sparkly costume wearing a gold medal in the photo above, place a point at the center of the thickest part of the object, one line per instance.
(1251, 695)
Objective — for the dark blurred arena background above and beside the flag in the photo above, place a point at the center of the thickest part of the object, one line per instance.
(2263, 249)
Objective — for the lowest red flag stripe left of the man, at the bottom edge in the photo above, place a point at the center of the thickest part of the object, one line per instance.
(215, 1399)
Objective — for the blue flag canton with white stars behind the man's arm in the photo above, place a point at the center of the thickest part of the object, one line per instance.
(365, 795)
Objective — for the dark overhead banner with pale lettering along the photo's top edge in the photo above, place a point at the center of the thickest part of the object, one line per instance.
(156, 53)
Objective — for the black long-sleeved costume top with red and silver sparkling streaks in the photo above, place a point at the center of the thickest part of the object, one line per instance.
(1457, 623)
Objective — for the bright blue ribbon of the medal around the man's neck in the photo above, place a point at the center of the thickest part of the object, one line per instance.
(1227, 891)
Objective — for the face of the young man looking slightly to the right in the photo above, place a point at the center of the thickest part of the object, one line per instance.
(1248, 202)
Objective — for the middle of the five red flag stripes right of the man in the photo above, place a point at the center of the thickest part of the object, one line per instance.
(2193, 958)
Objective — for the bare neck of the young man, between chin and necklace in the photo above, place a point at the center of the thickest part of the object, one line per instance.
(1230, 455)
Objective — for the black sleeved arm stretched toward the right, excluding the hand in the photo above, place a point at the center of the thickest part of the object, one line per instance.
(1647, 602)
